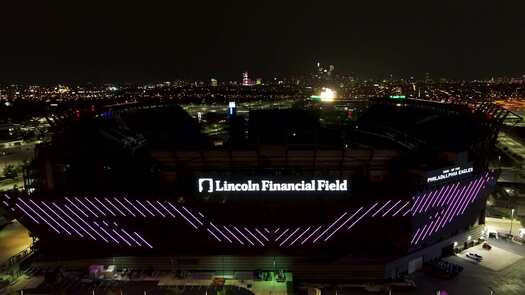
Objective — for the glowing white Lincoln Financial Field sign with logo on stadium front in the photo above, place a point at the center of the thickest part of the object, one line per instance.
(211, 185)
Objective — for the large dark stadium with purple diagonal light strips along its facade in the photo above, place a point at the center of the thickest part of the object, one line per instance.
(309, 190)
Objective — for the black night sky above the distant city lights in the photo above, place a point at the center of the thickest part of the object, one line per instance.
(119, 41)
